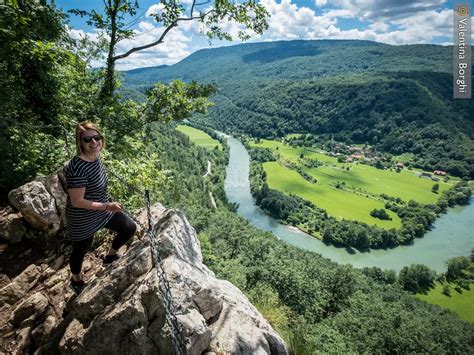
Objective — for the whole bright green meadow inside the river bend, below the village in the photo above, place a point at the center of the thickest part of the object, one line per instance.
(361, 189)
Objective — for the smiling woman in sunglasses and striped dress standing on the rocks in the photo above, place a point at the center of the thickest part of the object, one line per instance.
(88, 208)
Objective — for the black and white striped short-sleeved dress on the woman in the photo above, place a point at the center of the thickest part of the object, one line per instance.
(83, 223)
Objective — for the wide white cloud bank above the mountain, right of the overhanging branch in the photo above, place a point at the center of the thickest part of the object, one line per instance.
(288, 21)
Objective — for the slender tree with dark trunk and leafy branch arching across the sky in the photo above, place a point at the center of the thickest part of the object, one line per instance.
(212, 15)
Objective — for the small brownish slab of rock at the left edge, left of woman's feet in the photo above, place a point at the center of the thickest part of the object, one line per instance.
(20, 285)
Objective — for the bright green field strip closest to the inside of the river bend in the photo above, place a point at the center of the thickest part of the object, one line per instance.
(338, 203)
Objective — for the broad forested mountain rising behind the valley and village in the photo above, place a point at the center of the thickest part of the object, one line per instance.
(398, 98)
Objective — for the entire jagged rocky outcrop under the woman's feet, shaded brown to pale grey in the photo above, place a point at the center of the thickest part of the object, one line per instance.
(122, 308)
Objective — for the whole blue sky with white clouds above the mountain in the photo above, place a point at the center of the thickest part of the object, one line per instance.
(395, 22)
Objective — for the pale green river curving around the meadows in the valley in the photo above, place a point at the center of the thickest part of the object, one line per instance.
(451, 235)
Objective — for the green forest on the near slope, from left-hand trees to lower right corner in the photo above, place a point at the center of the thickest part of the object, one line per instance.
(47, 85)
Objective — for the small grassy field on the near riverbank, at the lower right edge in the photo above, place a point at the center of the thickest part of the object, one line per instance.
(461, 303)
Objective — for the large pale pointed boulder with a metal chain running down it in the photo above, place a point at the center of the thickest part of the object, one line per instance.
(125, 307)
